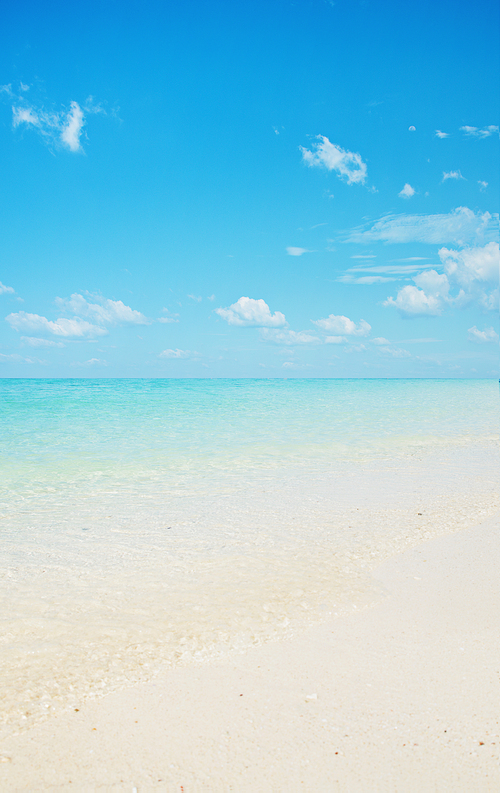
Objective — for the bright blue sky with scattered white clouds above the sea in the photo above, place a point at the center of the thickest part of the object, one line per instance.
(252, 189)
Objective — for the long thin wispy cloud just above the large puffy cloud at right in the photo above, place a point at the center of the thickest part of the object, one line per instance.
(462, 226)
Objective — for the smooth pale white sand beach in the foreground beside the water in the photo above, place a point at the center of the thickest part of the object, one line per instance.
(401, 697)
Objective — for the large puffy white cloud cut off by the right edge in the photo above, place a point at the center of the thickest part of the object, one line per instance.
(470, 276)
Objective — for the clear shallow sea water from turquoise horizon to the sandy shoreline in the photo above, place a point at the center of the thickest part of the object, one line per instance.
(148, 523)
